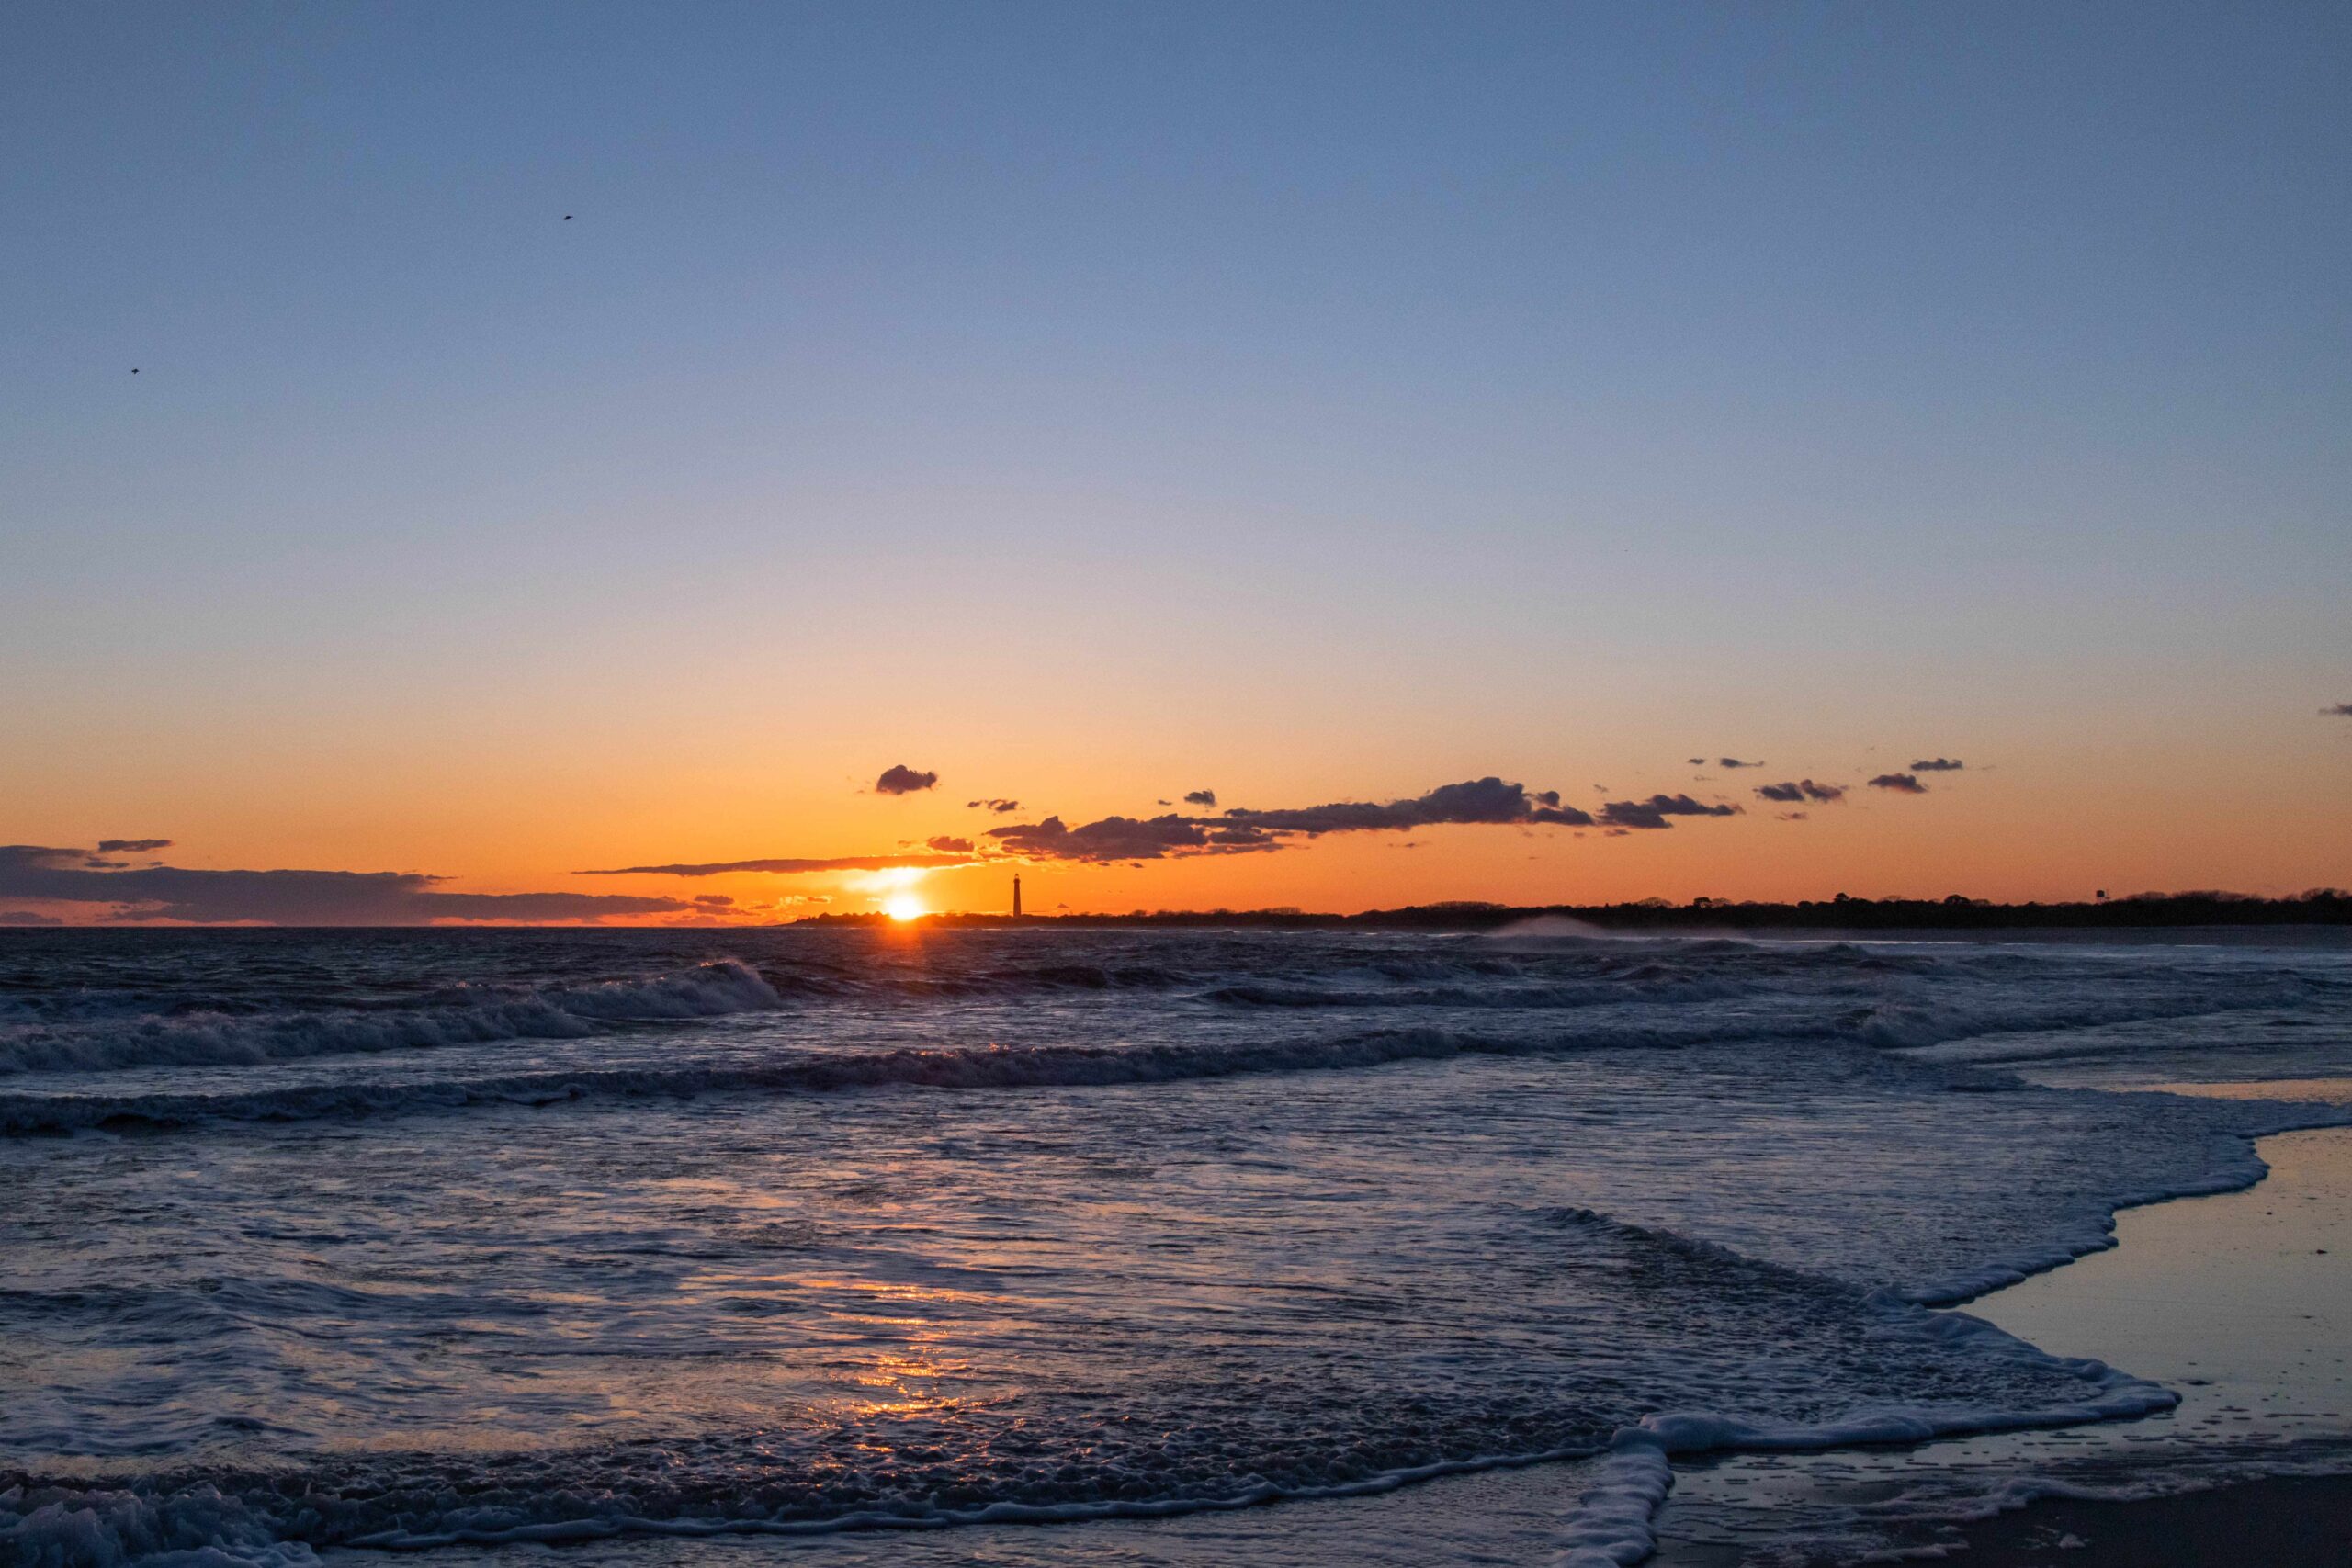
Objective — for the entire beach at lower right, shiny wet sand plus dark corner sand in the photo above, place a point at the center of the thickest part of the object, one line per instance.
(2238, 1301)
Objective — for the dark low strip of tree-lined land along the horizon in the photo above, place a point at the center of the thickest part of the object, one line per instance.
(1843, 913)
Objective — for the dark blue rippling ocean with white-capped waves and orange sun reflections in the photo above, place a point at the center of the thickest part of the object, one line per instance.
(465, 1240)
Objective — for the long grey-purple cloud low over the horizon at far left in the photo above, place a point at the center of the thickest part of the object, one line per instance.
(290, 897)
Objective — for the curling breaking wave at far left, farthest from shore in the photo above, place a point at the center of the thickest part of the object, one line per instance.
(457, 1017)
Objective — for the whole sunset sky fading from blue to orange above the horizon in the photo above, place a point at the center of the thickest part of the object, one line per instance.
(455, 448)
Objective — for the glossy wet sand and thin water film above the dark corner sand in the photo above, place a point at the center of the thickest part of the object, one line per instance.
(2240, 1304)
